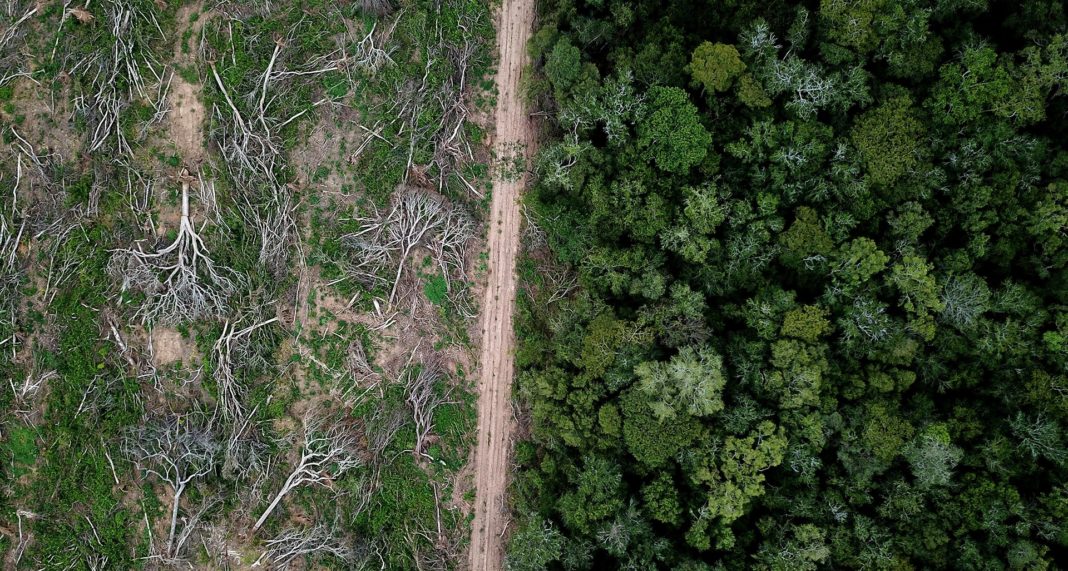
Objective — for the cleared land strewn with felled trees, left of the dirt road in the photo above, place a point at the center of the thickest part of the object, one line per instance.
(240, 253)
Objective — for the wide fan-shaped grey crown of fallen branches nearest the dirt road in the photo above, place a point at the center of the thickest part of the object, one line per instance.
(416, 218)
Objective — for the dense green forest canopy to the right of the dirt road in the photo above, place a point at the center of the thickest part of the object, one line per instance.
(796, 291)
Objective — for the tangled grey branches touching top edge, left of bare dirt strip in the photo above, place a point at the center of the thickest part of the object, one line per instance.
(120, 72)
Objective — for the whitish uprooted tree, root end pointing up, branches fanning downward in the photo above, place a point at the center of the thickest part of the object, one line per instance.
(181, 280)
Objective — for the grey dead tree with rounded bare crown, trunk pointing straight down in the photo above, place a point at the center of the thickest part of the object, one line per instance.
(178, 451)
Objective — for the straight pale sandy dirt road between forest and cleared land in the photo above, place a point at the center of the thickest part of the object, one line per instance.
(497, 370)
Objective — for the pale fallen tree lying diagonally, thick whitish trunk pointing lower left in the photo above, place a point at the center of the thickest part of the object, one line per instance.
(327, 452)
